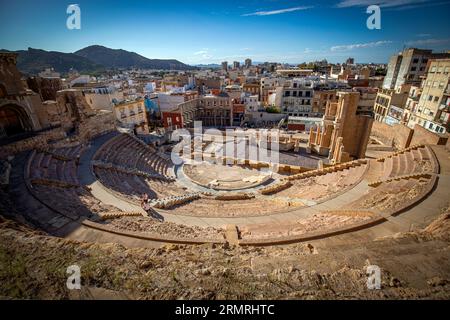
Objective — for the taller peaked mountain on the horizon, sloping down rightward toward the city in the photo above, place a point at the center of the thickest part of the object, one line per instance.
(118, 58)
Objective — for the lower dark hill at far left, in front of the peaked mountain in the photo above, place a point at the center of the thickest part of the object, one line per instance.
(33, 61)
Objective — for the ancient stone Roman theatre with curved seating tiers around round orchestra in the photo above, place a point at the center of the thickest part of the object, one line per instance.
(114, 187)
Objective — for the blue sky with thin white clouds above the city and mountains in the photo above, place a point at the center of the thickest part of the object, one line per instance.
(200, 31)
